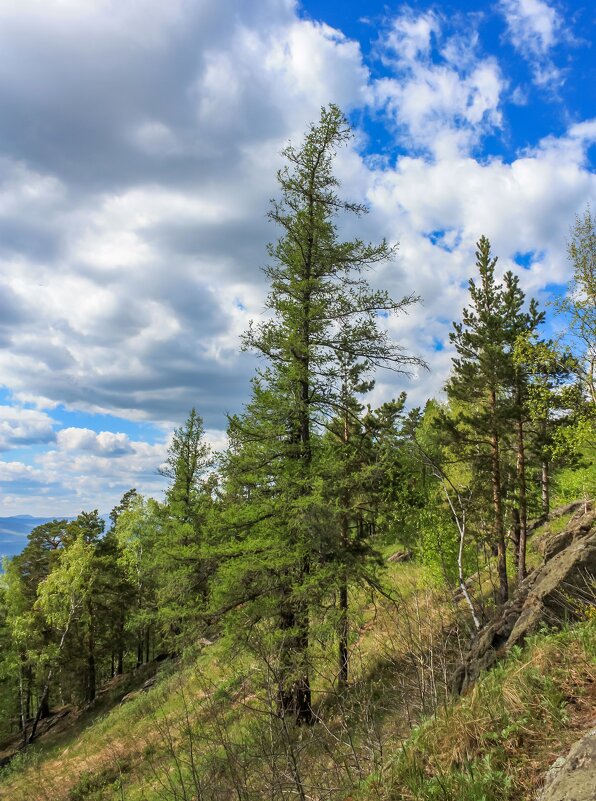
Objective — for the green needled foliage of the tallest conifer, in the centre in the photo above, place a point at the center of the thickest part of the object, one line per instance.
(299, 475)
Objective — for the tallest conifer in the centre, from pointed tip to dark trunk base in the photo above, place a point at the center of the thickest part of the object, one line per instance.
(318, 293)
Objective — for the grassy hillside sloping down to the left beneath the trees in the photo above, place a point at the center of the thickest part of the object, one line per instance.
(205, 727)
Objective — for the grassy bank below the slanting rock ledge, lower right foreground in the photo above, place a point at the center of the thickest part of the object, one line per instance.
(495, 743)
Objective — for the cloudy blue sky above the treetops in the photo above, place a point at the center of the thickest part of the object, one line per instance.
(139, 141)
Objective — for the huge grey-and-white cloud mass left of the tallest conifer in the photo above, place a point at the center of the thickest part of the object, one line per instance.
(145, 195)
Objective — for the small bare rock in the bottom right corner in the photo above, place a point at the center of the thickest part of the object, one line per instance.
(573, 777)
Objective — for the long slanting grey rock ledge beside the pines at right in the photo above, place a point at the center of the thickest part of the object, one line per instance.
(555, 592)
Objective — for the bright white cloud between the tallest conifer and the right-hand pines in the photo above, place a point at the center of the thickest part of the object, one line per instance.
(439, 208)
